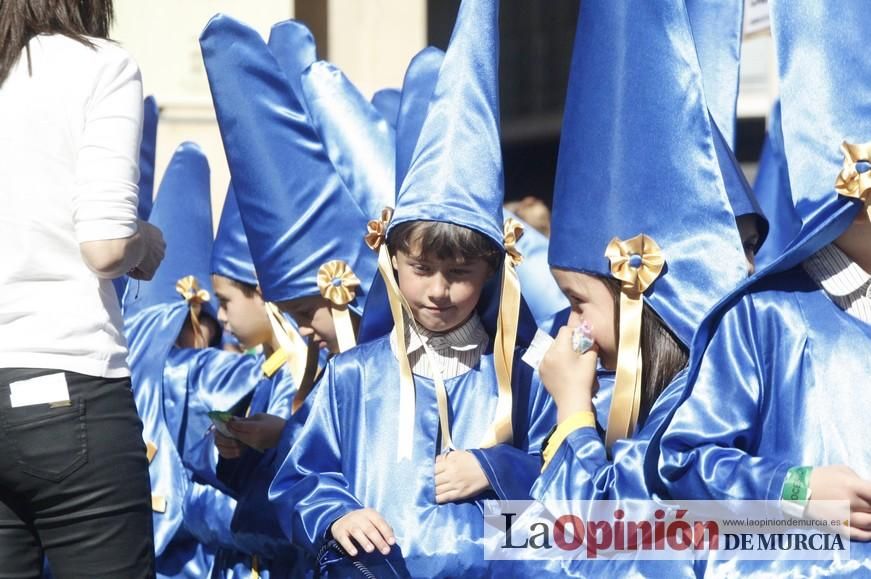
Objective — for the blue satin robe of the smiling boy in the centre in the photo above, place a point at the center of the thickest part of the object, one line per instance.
(345, 459)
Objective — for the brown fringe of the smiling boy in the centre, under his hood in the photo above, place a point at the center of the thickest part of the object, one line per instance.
(445, 241)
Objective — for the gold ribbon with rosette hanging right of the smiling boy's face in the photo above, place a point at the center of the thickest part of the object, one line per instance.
(501, 430)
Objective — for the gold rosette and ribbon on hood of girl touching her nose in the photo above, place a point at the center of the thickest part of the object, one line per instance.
(637, 263)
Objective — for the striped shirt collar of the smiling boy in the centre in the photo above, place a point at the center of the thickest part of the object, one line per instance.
(454, 353)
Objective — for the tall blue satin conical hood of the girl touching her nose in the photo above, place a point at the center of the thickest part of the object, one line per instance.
(637, 155)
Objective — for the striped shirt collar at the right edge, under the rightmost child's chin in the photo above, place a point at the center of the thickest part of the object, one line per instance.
(846, 283)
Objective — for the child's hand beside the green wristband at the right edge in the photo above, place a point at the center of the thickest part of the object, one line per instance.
(841, 483)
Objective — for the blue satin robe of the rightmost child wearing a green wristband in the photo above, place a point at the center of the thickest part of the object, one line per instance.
(785, 381)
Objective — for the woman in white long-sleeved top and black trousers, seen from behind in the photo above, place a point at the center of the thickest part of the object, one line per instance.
(73, 466)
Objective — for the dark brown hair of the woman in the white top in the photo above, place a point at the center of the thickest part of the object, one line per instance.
(21, 20)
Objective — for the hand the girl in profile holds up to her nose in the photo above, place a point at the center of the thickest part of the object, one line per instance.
(569, 377)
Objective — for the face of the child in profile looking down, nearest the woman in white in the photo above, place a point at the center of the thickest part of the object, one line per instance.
(241, 314)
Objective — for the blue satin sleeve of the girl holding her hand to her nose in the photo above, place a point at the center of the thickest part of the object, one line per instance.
(581, 470)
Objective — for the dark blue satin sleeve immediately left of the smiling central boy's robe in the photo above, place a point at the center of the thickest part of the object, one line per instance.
(309, 491)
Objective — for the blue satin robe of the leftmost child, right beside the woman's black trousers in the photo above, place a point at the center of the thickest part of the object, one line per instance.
(173, 389)
